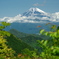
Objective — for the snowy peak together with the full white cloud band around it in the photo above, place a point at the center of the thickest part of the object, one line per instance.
(33, 15)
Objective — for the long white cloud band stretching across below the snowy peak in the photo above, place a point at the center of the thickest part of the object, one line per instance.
(31, 19)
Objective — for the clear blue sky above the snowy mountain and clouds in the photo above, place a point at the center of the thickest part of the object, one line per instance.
(11, 8)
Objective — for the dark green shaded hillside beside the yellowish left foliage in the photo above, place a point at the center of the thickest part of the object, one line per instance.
(17, 44)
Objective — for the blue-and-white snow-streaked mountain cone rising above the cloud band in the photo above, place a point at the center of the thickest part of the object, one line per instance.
(35, 12)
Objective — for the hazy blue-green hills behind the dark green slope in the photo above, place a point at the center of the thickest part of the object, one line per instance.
(30, 39)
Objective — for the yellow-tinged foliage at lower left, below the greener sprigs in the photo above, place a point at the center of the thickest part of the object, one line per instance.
(5, 51)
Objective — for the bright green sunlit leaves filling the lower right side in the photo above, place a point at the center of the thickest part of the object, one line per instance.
(50, 47)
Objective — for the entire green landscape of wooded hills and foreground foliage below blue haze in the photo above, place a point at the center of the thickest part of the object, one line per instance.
(18, 45)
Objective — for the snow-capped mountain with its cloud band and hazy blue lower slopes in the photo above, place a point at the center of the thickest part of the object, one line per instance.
(29, 20)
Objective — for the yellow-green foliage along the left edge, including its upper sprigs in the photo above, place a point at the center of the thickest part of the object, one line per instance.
(5, 51)
